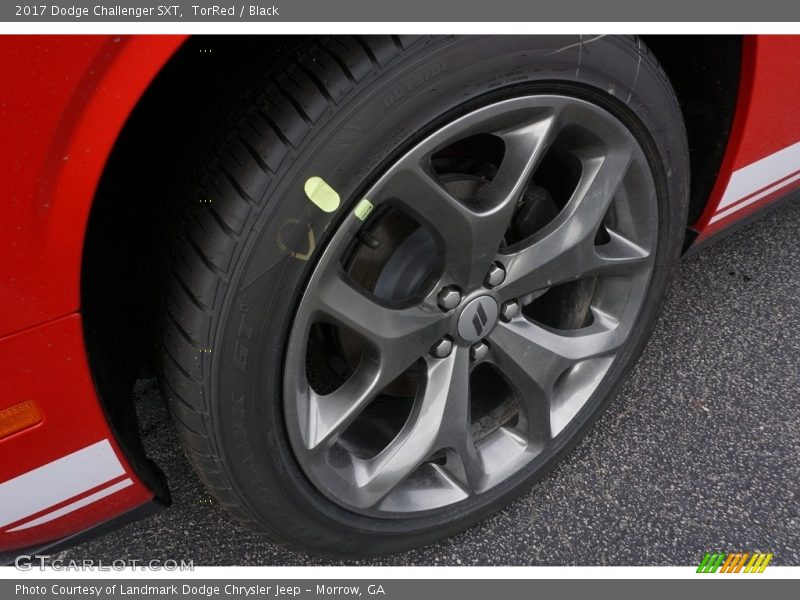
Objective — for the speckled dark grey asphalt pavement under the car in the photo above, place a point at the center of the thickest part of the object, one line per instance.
(699, 452)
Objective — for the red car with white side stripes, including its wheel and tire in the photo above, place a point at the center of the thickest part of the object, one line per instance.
(385, 282)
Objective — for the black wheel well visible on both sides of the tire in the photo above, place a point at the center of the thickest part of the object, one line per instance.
(138, 198)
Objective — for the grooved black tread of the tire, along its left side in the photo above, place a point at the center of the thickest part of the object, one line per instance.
(278, 120)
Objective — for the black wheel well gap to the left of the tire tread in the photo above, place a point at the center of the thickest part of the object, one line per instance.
(135, 207)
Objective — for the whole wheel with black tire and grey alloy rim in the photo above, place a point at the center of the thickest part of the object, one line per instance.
(421, 269)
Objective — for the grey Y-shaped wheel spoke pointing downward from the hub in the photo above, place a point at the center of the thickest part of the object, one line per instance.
(440, 423)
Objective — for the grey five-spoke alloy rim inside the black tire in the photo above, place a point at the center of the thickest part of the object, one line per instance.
(445, 343)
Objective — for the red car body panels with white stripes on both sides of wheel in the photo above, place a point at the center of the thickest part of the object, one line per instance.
(63, 104)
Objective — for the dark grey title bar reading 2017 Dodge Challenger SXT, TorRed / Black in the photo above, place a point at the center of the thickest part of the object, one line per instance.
(444, 11)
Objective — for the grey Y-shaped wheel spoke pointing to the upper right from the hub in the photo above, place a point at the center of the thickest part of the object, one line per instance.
(566, 250)
